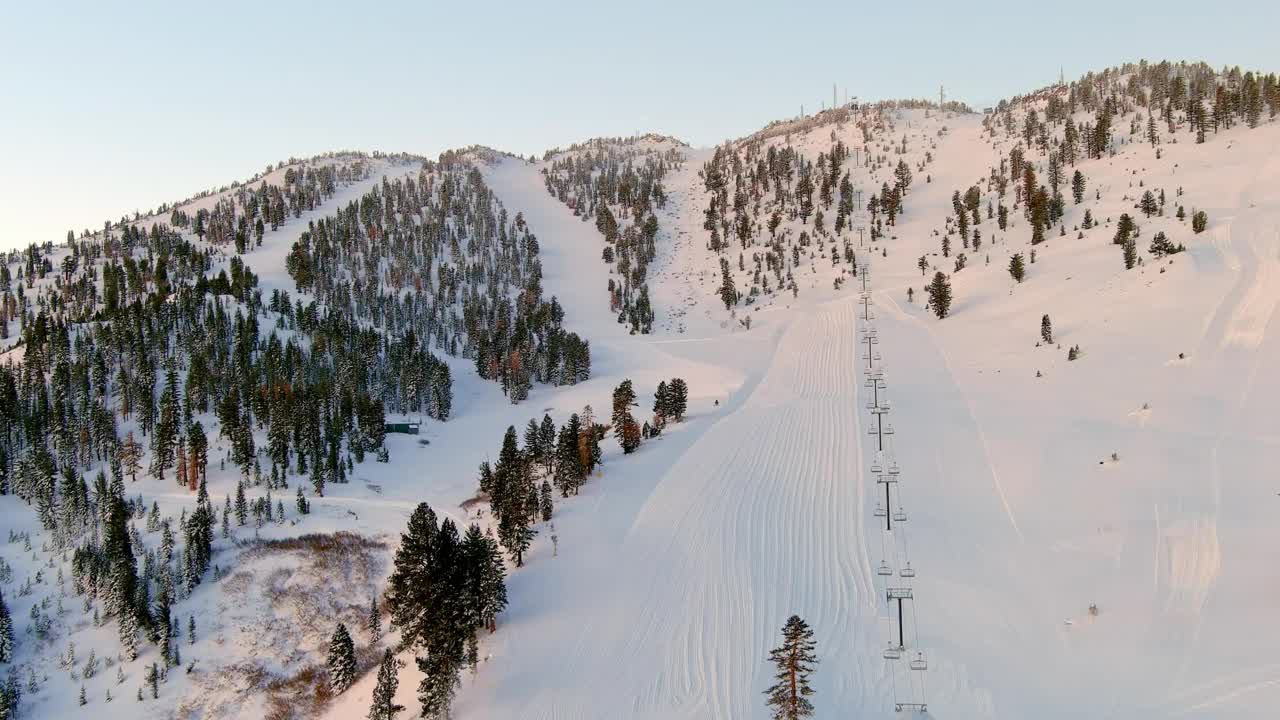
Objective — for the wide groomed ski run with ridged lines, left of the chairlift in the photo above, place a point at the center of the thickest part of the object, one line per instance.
(761, 518)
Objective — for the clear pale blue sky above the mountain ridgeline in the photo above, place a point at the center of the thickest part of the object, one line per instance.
(107, 108)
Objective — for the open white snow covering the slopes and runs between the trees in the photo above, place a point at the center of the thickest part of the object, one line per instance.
(1137, 479)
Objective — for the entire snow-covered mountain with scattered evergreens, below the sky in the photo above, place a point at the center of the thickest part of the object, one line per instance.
(1080, 491)
